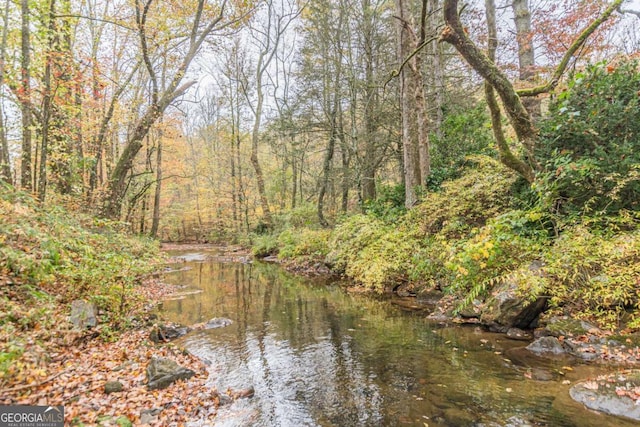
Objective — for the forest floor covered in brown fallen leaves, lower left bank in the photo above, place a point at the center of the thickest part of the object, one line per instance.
(71, 368)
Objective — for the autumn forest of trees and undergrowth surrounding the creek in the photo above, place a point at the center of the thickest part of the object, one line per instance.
(469, 148)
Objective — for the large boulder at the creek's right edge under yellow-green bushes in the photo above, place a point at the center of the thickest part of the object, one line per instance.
(506, 309)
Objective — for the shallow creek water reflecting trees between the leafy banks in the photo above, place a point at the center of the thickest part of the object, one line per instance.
(319, 356)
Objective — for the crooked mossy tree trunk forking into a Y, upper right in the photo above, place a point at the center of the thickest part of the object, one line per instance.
(520, 119)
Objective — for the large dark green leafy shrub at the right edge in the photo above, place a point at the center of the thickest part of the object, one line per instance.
(591, 142)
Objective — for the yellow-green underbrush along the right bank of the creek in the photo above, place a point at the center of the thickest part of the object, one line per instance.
(478, 232)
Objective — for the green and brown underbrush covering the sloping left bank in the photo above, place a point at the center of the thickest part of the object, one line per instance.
(50, 257)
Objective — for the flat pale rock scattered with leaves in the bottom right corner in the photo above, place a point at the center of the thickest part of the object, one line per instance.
(608, 396)
